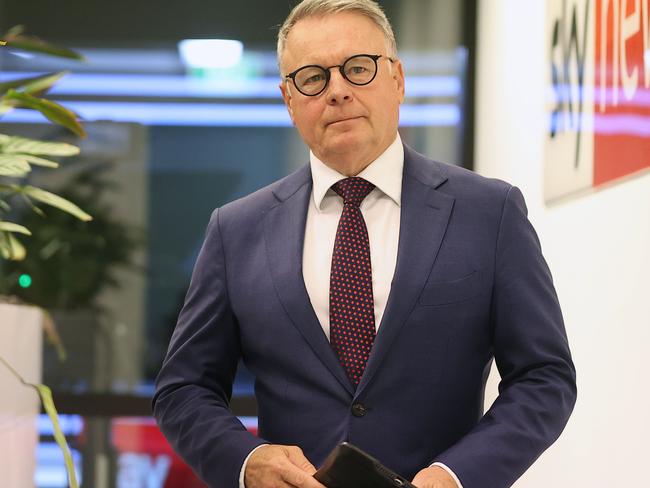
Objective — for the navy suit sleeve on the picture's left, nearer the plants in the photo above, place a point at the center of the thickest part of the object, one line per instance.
(194, 386)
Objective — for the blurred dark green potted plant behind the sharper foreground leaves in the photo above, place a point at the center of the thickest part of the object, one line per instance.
(71, 266)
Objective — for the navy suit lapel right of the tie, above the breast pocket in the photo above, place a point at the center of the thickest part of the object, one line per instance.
(425, 213)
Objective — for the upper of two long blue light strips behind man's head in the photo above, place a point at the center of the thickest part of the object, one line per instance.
(178, 86)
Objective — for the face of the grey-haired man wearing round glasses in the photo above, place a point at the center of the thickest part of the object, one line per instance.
(346, 126)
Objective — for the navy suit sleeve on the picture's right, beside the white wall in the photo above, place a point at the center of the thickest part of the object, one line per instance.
(537, 391)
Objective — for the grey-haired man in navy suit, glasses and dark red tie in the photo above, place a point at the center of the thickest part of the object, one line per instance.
(368, 293)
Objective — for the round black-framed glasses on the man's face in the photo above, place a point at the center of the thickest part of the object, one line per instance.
(360, 69)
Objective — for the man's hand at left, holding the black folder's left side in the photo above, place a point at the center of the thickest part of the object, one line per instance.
(276, 466)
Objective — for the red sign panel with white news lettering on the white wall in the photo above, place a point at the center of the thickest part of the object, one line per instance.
(622, 89)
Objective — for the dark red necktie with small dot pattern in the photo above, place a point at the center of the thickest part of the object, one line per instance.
(352, 312)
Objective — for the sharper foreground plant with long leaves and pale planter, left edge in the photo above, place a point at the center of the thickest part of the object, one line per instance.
(20, 325)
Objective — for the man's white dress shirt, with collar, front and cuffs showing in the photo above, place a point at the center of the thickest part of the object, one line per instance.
(381, 212)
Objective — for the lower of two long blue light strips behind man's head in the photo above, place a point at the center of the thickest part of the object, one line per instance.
(221, 115)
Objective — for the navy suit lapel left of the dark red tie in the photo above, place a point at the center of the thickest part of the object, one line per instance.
(284, 232)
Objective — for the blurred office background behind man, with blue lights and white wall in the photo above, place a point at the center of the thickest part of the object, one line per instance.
(177, 127)
